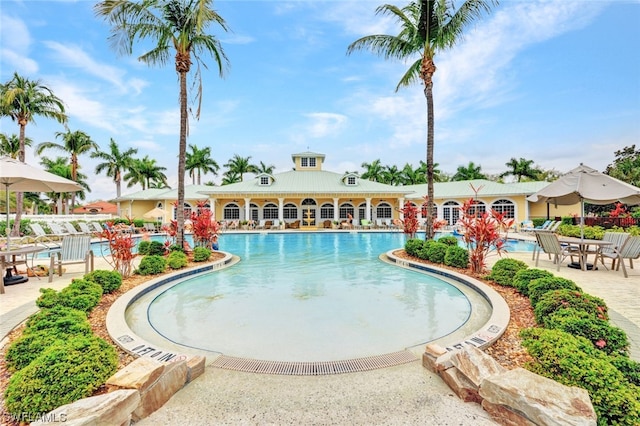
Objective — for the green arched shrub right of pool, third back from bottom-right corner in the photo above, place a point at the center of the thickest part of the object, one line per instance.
(554, 300)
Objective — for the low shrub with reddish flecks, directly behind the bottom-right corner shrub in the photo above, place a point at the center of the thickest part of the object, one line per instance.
(601, 333)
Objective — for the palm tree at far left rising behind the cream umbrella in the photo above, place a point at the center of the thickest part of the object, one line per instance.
(22, 100)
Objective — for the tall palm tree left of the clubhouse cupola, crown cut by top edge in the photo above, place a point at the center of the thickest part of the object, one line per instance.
(176, 27)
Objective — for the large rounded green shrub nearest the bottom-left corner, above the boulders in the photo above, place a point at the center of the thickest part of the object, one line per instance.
(65, 372)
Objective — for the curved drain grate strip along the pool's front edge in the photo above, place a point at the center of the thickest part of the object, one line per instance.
(323, 368)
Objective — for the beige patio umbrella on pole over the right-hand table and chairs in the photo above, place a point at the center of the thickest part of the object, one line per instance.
(586, 184)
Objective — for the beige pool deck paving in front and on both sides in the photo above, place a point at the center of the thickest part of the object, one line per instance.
(403, 394)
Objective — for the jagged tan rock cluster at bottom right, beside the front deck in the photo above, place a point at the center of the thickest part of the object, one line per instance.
(515, 397)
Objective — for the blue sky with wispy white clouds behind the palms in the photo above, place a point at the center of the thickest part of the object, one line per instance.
(557, 82)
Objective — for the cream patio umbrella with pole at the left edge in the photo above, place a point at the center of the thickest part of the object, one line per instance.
(21, 177)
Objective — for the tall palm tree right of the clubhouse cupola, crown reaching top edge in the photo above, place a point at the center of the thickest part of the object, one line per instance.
(427, 26)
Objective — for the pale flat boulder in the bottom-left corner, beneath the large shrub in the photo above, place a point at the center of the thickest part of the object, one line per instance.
(113, 408)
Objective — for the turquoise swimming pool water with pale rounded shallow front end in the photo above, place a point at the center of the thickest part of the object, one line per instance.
(305, 297)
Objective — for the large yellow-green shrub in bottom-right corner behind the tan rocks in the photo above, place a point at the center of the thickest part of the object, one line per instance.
(573, 361)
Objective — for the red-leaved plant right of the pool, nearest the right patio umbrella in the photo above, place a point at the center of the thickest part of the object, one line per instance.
(481, 232)
